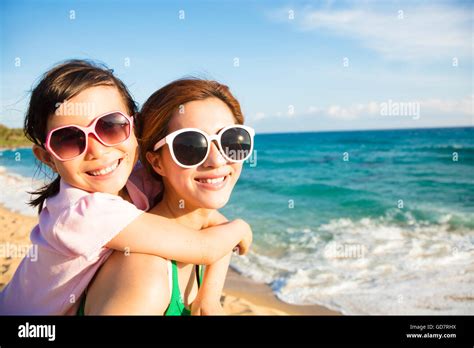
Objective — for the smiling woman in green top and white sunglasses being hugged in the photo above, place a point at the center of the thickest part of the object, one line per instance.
(192, 139)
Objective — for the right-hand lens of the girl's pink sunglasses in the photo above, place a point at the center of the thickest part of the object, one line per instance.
(113, 128)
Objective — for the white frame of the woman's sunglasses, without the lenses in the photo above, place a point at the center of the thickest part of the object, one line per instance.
(209, 138)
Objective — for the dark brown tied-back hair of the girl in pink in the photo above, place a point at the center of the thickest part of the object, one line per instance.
(57, 85)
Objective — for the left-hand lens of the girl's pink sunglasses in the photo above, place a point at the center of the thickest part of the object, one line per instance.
(68, 142)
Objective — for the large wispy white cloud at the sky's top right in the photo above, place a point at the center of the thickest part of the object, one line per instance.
(425, 32)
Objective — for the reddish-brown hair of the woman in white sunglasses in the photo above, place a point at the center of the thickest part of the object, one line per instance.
(156, 113)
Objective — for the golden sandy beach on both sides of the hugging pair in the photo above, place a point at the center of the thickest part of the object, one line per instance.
(241, 295)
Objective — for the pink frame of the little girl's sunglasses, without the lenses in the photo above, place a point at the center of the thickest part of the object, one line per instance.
(88, 130)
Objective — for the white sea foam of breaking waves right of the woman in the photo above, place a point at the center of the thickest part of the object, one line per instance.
(373, 266)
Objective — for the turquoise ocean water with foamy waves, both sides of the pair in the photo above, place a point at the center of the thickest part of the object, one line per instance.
(366, 222)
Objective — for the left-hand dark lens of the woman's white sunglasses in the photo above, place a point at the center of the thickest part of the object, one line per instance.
(190, 148)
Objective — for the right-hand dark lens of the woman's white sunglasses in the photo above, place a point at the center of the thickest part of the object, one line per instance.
(236, 143)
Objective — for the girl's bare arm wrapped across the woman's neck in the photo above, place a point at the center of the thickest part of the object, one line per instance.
(157, 235)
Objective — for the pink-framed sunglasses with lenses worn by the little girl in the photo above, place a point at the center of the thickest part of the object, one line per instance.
(69, 142)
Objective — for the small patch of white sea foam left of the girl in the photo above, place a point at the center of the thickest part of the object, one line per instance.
(14, 191)
